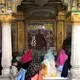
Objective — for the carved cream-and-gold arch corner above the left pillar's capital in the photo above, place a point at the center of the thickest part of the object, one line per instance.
(9, 6)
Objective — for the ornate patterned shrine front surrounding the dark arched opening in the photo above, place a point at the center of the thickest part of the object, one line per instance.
(48, 30)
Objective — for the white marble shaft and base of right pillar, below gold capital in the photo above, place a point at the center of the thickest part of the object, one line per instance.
(75, 56)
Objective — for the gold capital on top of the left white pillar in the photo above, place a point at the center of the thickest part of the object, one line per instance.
(6, 17)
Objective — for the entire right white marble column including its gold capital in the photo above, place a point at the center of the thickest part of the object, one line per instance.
(75, 56)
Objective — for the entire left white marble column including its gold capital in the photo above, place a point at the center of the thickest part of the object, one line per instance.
(6, 44)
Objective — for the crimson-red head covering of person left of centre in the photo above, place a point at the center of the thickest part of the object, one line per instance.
(27, 57)
